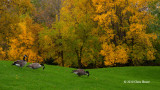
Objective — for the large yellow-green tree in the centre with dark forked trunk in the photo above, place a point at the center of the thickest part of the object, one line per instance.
(70, 40)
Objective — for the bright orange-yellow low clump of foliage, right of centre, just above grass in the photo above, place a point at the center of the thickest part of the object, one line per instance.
(114, 54)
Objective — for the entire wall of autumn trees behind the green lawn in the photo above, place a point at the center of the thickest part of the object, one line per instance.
(80, 33)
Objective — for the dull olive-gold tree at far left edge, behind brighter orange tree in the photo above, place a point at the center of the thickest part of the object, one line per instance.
(10, 13)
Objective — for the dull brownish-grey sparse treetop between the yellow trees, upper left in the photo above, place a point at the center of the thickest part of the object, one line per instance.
(45, 11)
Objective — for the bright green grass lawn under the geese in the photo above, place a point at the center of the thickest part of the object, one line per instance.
(61, 78)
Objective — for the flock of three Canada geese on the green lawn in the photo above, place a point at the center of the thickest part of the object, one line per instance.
(22, 63)
